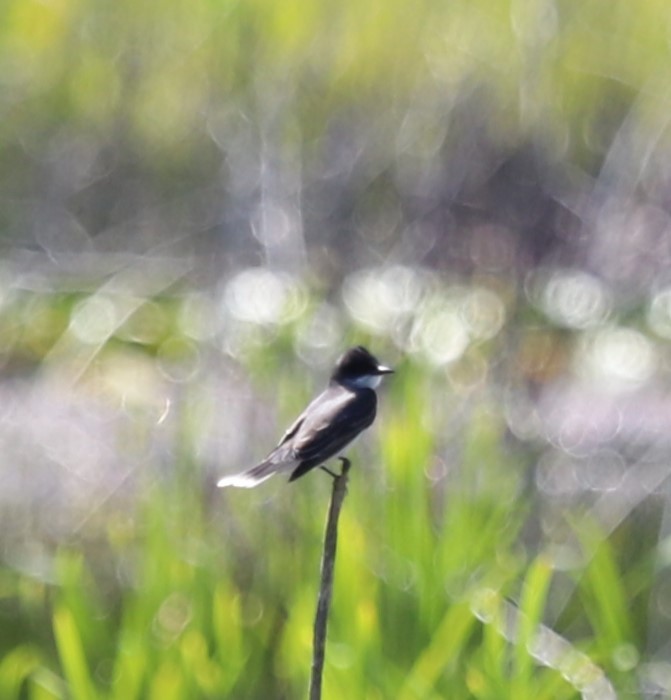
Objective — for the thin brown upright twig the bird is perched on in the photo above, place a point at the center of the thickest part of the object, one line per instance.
(326, 586)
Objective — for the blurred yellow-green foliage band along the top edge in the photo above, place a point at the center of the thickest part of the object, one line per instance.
(158, 67)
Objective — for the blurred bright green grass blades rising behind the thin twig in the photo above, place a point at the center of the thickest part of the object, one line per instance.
(208, 594)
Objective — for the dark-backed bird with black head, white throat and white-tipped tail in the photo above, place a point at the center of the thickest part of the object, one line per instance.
(329, 424)
